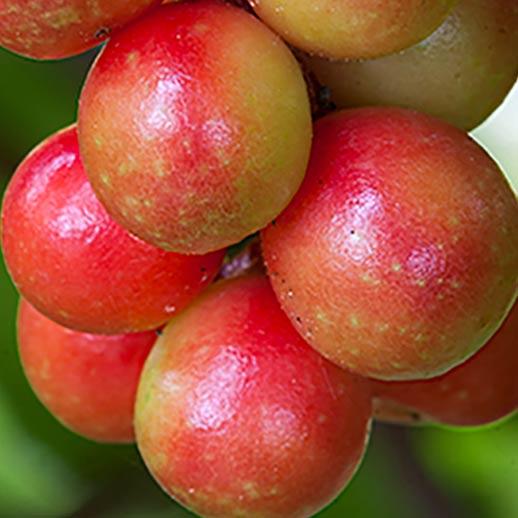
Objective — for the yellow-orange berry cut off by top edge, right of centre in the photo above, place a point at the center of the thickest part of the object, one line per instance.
(353, 28)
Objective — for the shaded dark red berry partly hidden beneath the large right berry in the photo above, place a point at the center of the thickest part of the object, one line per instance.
(478, 392)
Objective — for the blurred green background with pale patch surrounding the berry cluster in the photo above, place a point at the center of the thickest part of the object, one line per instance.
(47, 471)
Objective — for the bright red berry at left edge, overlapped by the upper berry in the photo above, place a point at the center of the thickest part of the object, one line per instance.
(75, 264)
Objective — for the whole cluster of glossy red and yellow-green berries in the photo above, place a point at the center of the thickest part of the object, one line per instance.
(388, 268)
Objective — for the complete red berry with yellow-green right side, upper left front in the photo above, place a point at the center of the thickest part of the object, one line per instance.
(195, 126)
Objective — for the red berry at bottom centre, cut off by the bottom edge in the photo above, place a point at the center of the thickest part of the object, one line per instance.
(237, 416)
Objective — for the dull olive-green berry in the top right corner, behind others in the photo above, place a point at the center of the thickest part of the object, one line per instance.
(461, 73)
